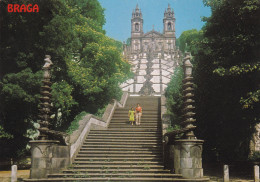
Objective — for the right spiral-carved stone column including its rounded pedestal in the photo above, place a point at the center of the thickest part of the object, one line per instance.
(188, 149)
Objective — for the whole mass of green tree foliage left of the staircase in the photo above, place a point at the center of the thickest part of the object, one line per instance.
(88, 66)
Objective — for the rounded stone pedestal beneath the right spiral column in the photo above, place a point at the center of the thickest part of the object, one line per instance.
(188, 158)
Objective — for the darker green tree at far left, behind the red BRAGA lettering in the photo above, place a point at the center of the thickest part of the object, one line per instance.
(27, 38)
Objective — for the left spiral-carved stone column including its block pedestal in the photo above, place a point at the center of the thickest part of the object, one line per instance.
(47, 156)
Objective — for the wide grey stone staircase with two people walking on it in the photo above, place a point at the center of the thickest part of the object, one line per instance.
(123, 152)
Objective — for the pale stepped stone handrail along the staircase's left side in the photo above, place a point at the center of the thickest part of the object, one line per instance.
(93, 122)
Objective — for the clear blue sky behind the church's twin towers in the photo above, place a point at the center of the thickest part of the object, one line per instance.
(118, 15)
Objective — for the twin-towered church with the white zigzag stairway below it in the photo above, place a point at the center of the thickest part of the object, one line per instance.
(153, 55)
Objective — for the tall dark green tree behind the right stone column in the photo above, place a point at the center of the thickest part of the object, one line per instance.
(226, 74)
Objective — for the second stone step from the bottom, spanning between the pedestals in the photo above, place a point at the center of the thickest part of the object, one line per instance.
(104, 174)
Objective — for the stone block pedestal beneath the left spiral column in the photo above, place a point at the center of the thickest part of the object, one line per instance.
(48, 157)
